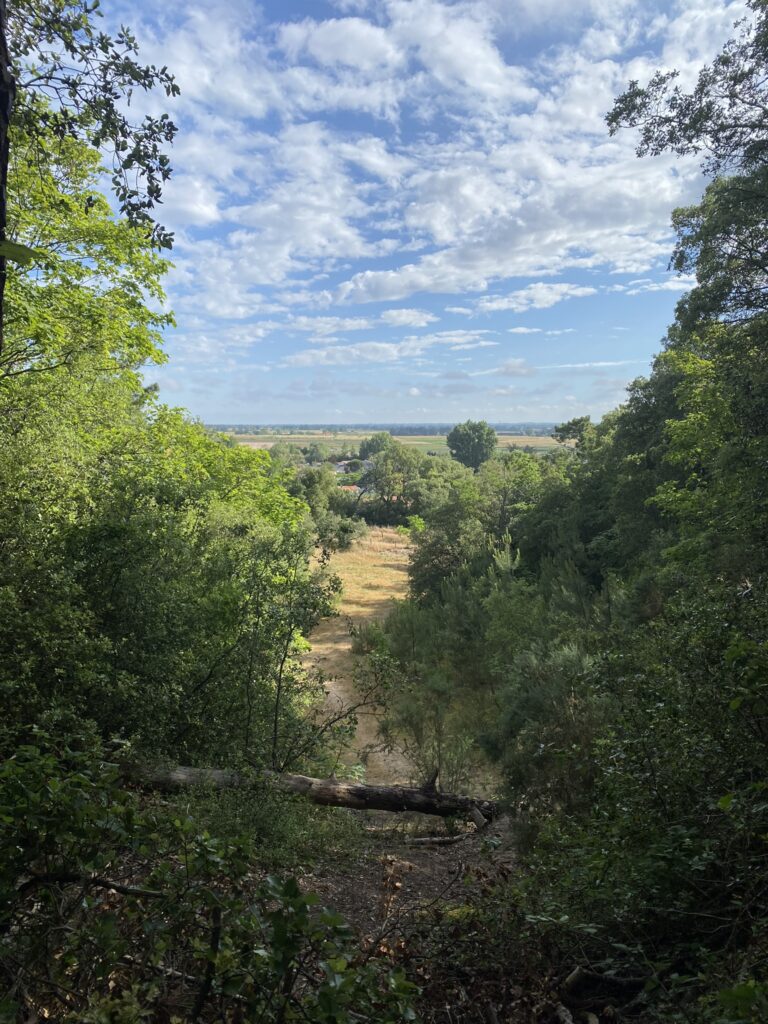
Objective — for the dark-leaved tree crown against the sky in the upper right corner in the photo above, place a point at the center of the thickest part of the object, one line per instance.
(726, 117)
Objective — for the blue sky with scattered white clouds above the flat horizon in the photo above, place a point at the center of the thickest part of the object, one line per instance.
(411, 211)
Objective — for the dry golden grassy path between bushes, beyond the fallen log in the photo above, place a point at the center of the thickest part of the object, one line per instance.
(374, 573)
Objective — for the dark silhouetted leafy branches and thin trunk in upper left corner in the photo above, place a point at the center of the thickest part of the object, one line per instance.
(60, 78)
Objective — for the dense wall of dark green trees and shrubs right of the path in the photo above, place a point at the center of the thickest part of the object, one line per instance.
(594, 624)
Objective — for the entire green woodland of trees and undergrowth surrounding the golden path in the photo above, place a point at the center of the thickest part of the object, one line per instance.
(586, 626)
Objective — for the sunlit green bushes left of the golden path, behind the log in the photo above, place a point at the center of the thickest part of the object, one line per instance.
(197, 659)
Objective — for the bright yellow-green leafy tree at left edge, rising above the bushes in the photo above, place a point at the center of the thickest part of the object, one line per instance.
(97, 284)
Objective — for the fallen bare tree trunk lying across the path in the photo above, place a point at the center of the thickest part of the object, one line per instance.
(331, 792)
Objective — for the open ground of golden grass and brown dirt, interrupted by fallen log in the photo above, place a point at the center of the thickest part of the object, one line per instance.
(388, 888)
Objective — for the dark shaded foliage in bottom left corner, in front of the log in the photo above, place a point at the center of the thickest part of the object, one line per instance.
(109, 913)
